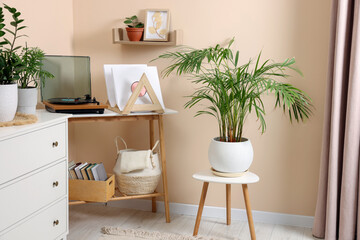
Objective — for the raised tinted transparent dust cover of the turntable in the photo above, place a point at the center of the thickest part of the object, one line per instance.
(72, 77)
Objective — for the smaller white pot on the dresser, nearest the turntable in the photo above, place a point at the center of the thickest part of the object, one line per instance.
(27, 100)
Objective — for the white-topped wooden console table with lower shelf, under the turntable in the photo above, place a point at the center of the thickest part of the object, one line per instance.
(149, 116)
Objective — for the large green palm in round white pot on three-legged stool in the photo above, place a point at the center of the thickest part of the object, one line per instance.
(233, 92)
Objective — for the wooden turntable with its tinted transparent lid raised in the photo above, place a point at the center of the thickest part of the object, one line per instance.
(70, 89)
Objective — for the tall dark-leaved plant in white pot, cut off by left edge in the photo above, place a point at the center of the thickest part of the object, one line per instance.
(10, 64)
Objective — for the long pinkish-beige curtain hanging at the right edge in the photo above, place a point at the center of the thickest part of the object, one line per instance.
(338, 207)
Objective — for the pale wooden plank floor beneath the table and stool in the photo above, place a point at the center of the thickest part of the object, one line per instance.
(87, 220)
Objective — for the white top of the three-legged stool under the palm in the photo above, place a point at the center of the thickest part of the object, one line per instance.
(208, 176)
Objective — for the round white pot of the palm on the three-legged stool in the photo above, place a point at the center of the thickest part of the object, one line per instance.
(230, 157)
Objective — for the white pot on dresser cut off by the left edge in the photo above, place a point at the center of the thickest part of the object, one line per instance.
(8, 102)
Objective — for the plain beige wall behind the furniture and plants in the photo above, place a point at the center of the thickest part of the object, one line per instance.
(286, 156)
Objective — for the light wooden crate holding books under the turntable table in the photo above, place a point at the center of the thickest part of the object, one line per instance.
(92, 191)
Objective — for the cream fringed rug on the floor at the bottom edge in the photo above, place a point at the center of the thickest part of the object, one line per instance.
(117, 233)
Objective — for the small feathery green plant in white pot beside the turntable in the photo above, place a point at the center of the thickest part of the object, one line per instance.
(29, 80)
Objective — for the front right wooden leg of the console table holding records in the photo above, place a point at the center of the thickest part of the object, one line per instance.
(163, 164)
